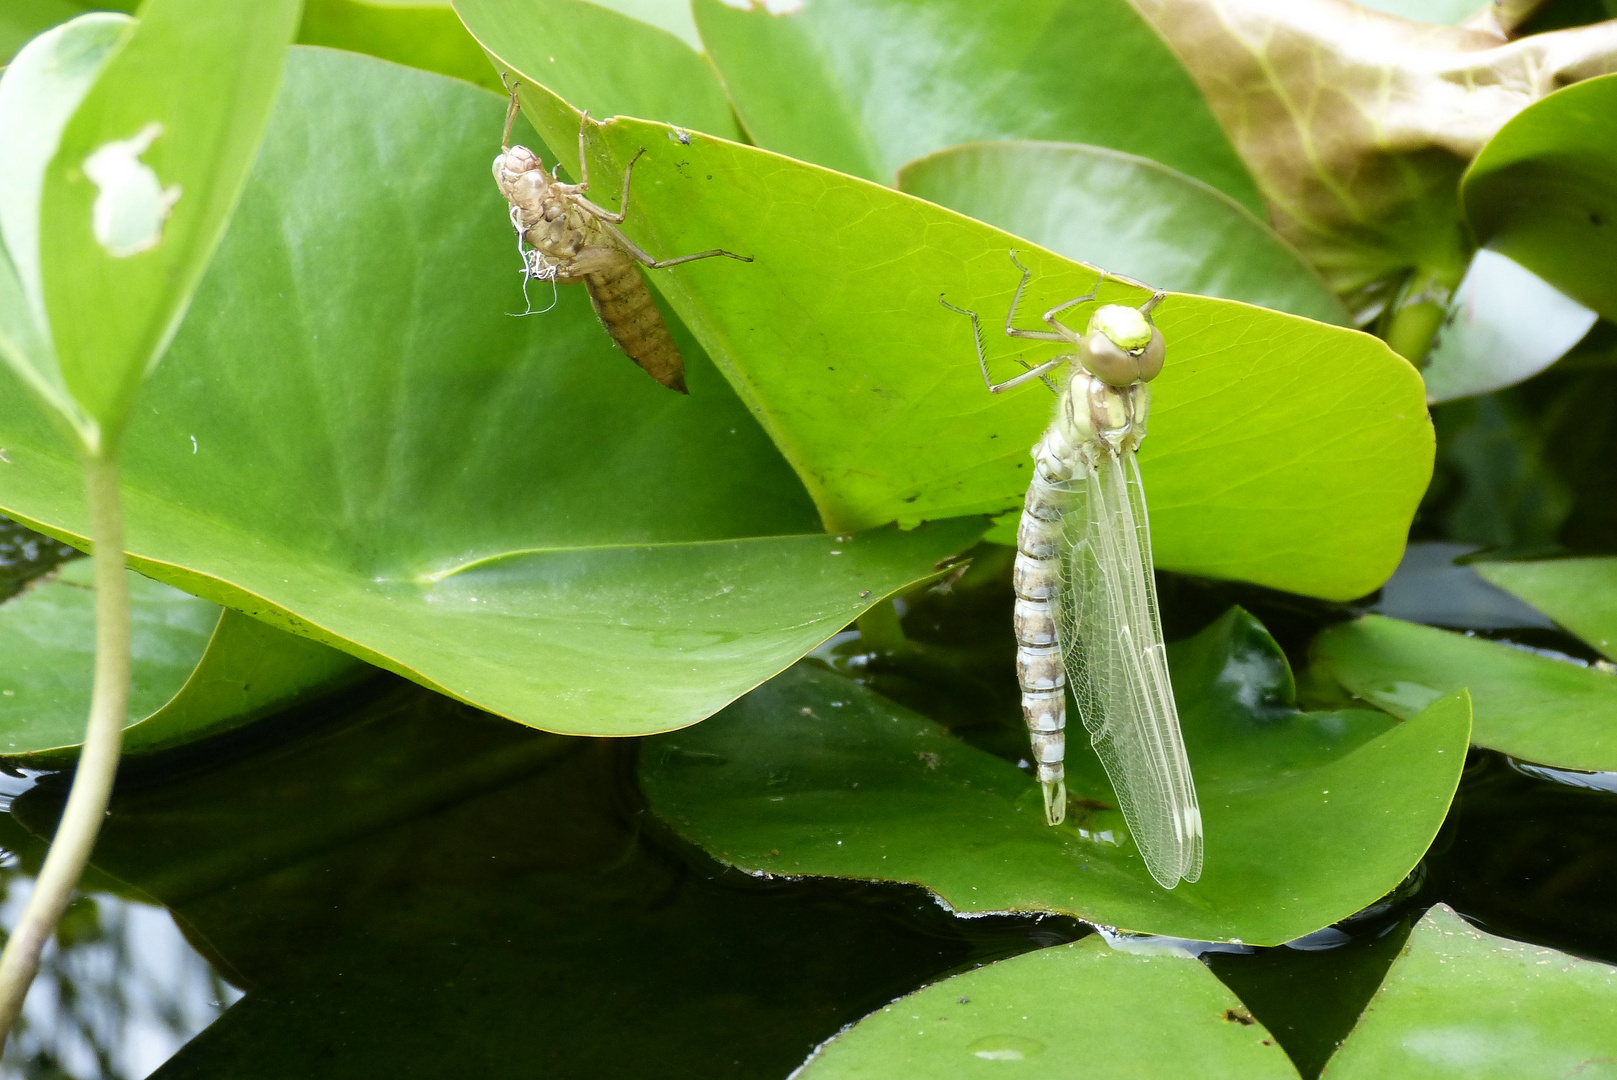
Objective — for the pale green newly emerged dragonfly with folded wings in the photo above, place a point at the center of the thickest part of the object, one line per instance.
(1086, 599)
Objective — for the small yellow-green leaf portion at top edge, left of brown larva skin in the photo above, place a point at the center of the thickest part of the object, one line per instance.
(426, 35)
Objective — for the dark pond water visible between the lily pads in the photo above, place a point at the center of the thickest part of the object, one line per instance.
(397, 885)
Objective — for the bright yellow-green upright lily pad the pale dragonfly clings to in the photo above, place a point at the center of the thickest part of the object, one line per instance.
(1283, 452)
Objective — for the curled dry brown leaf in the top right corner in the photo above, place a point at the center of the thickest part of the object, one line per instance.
(1357, 125)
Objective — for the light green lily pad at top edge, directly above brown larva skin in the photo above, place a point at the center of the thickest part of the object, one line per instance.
(602, 61)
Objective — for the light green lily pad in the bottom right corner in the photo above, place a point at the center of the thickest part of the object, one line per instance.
(1461, 1003)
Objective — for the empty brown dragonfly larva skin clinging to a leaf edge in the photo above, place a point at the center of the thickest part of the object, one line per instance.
(564, 237)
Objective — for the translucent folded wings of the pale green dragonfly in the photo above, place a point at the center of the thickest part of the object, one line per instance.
(1112, 639)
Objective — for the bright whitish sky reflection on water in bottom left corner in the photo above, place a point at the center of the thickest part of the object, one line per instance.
(119, 994)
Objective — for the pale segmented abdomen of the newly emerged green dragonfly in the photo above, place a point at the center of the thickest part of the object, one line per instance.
(1039, 662)
